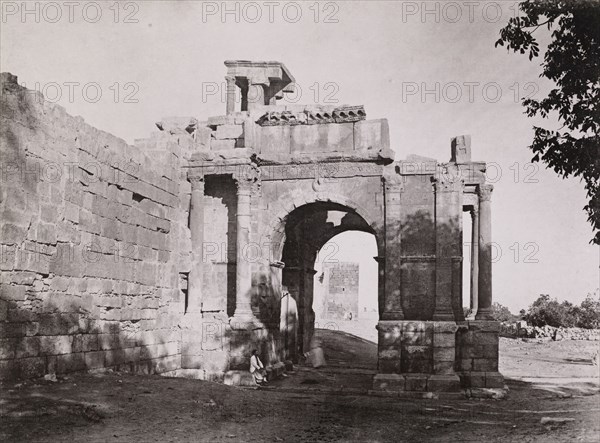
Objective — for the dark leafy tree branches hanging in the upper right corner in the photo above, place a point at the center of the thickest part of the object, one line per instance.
(572, 62)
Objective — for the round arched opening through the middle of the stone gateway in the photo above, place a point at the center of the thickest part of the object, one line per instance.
(323, 233)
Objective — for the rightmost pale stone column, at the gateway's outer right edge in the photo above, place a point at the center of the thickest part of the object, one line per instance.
(484, 284)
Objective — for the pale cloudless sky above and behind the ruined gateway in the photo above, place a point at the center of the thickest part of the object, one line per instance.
(430, 68)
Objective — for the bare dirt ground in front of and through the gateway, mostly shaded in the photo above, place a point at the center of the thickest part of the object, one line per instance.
(553, 396)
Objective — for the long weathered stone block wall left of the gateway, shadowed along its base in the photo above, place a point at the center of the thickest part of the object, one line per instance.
(94, 243)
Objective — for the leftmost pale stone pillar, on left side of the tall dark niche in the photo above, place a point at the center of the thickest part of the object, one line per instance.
(197, 233)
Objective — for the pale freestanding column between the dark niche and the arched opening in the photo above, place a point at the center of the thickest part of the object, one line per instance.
(243, 311)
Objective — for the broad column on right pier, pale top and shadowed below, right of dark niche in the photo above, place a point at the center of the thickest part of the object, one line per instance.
(448, 215)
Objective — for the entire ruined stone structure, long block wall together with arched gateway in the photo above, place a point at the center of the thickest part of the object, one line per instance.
(171, 255)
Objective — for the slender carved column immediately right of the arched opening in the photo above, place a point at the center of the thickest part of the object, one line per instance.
(392, 305)
